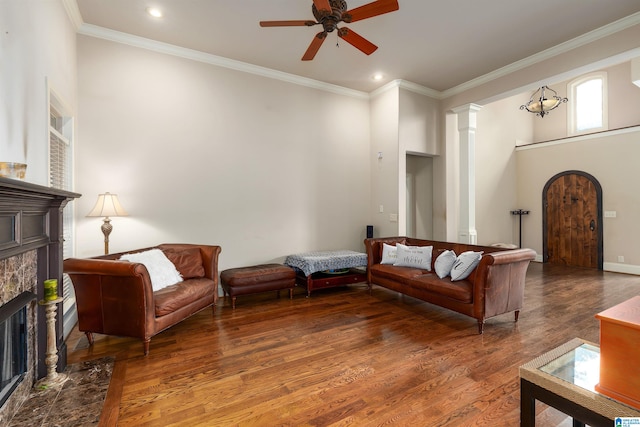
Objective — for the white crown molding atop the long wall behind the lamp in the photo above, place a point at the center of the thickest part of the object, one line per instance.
(194, 55)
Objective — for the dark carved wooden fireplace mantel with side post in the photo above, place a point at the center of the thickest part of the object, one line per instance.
(31, 219)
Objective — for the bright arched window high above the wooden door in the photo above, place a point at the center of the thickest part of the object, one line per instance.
(588, 104)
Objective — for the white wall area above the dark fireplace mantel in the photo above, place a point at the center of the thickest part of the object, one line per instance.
(37, 44)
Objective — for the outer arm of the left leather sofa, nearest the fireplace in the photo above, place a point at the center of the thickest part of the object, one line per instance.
(113, 297)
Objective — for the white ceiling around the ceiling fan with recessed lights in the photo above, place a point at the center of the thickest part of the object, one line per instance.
(438, 44)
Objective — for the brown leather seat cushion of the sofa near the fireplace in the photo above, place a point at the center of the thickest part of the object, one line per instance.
(172, 298)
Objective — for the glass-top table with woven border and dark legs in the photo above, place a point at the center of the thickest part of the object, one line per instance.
(565, 378)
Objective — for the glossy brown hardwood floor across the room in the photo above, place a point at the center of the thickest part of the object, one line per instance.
(344, 357)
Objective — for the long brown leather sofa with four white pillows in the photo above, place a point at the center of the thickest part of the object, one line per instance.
(495, 286)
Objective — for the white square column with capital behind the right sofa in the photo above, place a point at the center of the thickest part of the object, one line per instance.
(467, 134)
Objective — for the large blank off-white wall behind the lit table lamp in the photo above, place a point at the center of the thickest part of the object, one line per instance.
(203, 154)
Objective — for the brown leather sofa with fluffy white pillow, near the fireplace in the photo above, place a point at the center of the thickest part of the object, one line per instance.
(115, 297)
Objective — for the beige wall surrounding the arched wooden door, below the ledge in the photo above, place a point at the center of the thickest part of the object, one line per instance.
(611, 159)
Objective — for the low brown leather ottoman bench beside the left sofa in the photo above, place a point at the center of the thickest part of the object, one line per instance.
(257, 278)
